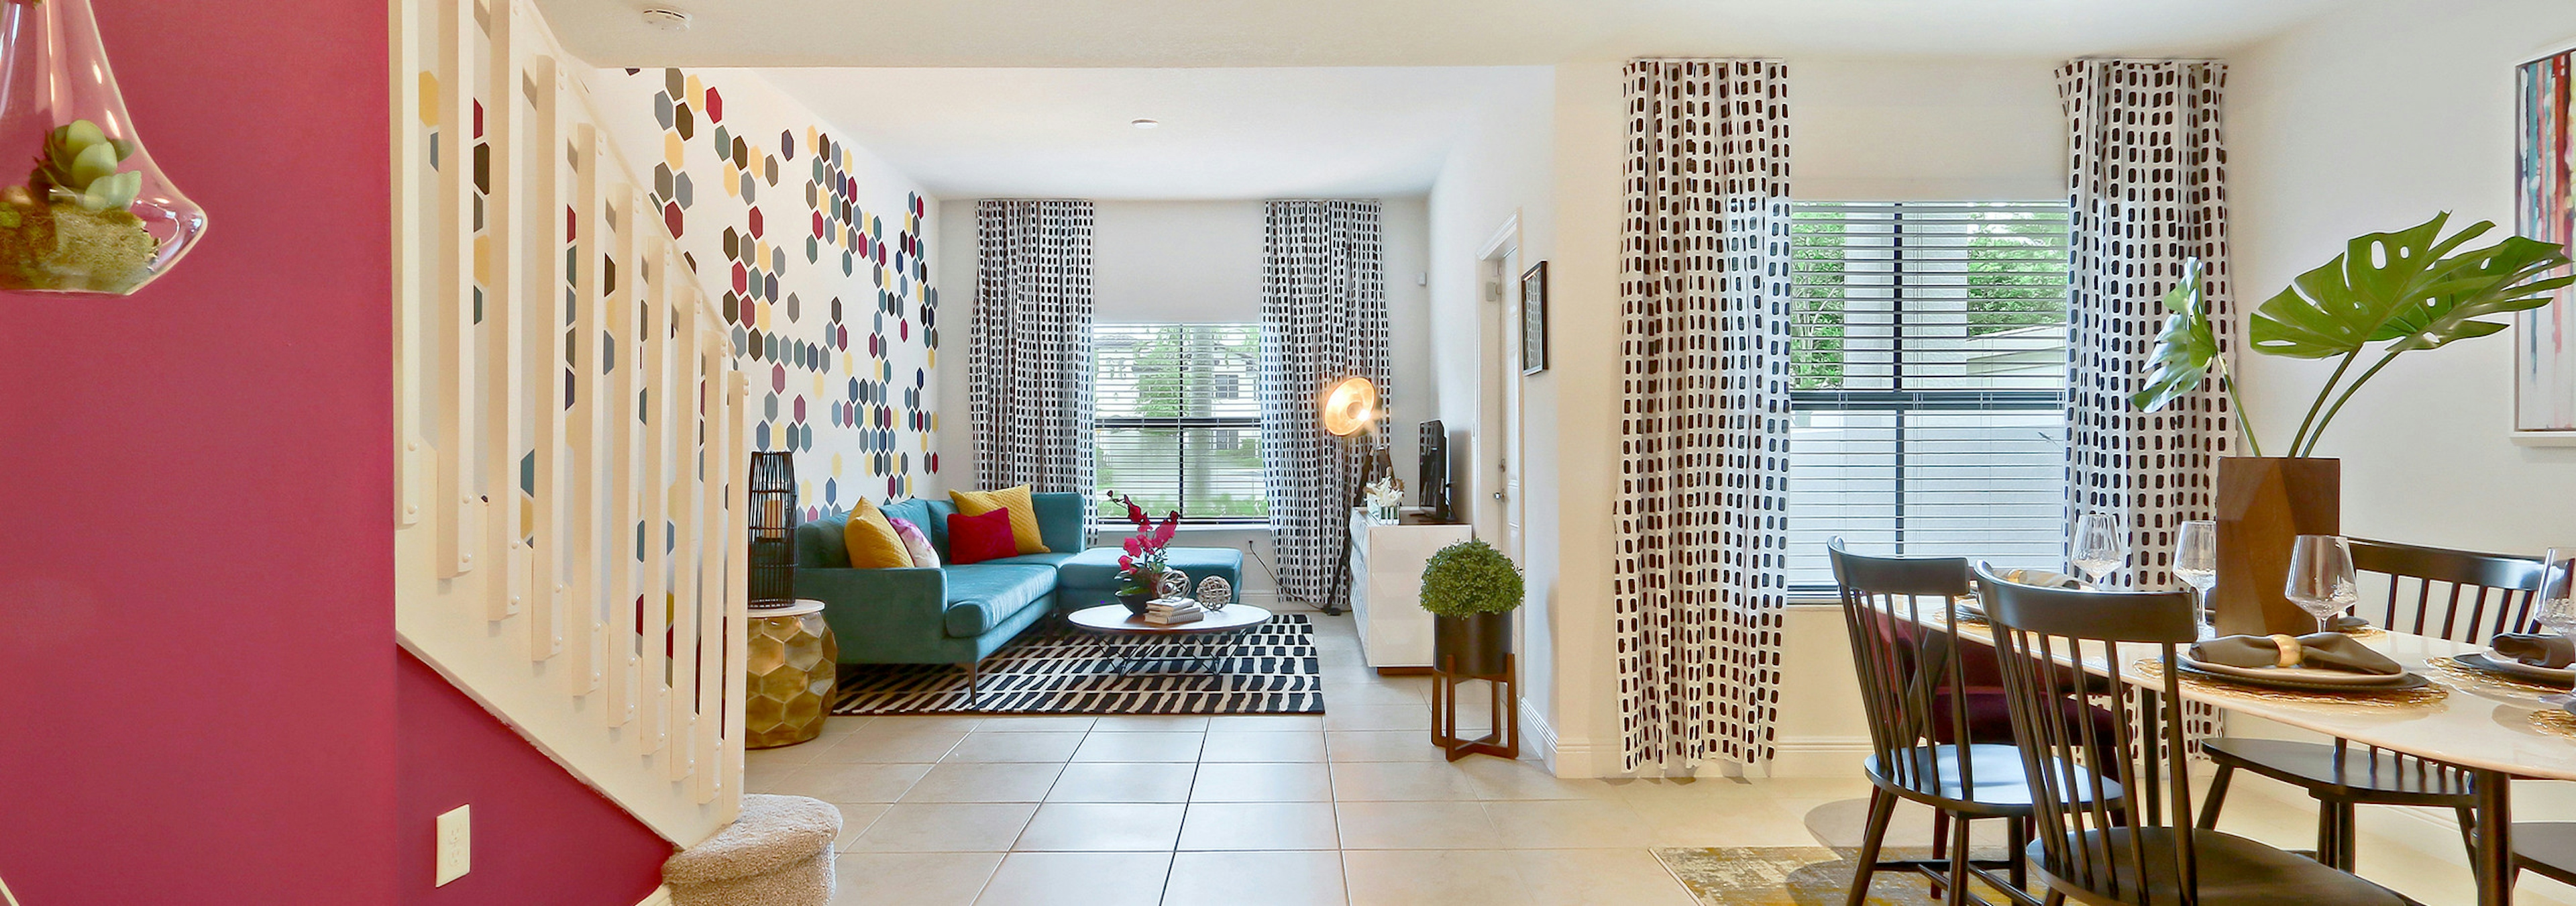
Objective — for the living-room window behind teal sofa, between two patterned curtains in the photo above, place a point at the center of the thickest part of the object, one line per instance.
(1181, 421)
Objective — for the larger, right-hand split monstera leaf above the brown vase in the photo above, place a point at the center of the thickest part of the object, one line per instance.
(2407, 287)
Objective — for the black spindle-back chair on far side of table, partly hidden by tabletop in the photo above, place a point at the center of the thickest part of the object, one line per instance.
(2428, 593)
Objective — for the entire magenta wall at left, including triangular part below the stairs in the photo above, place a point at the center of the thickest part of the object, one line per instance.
(200, 686)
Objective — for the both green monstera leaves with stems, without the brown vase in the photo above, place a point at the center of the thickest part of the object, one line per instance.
(2405, 292)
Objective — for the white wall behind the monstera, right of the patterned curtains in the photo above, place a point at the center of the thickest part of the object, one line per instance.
(2376, 120)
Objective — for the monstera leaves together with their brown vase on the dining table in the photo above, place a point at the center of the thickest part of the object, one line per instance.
(2389, 292)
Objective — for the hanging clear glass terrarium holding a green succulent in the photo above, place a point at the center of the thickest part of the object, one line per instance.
(94, 215)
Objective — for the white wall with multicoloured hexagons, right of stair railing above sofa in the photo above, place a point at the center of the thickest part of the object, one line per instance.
(818, 256)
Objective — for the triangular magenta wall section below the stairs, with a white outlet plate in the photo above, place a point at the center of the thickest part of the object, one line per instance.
(540, 835)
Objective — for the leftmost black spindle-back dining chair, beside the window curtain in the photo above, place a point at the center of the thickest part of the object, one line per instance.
(1926, 694)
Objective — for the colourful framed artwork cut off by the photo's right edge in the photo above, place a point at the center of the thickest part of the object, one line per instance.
(2546, 210)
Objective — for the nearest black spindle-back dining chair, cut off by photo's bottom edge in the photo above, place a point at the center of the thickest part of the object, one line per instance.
(2150, 853)
